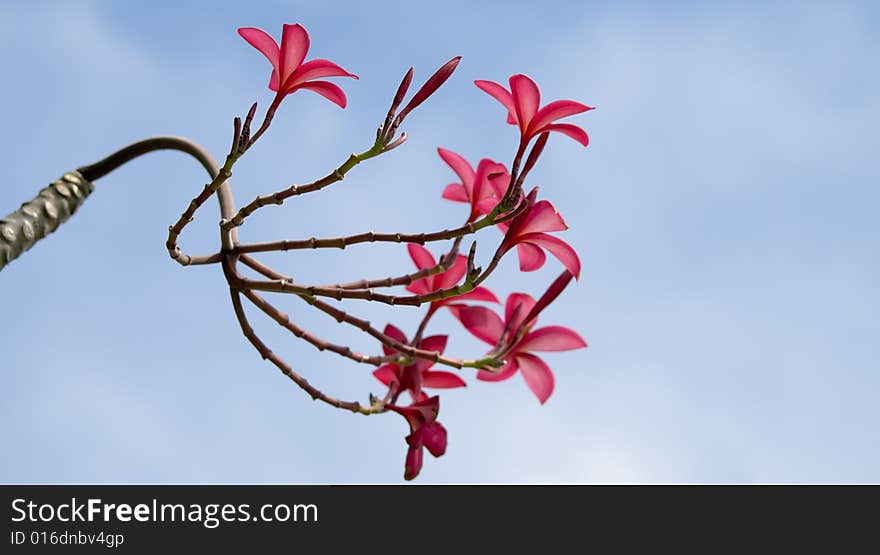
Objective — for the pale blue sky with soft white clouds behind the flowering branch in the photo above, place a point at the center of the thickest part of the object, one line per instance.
(725, 212)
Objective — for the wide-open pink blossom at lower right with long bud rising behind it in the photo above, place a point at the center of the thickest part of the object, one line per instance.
(521, 315)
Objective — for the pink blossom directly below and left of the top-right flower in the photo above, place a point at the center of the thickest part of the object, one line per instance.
(476, 188)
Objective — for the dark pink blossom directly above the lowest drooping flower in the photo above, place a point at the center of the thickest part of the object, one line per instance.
(414, 377)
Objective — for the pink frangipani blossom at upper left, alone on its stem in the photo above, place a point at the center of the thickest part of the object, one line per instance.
(289, 73)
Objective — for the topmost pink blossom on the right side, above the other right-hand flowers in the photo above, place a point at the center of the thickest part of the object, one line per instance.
(523, 102)
